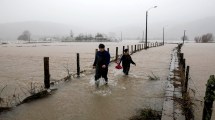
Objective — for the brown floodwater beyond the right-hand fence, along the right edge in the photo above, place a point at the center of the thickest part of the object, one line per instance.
(201, 59)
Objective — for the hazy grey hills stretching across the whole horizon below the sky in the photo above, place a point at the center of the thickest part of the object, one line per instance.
(10, 31)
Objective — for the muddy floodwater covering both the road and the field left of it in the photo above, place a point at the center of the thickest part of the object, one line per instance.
(78, 99)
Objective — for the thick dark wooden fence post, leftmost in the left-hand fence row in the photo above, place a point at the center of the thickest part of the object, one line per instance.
(46, 73)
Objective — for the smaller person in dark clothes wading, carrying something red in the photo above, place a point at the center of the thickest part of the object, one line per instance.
(126, 61)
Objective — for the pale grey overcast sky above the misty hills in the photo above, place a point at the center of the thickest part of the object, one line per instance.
(109, 14)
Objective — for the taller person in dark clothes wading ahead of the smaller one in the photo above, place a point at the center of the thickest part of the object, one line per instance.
(102, 60)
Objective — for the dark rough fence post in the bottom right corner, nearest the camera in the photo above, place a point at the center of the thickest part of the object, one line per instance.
(209, 98)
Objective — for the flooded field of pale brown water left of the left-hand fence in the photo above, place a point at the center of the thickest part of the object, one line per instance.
(22, 64)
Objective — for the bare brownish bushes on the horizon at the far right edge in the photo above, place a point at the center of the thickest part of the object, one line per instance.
(204, 38)
